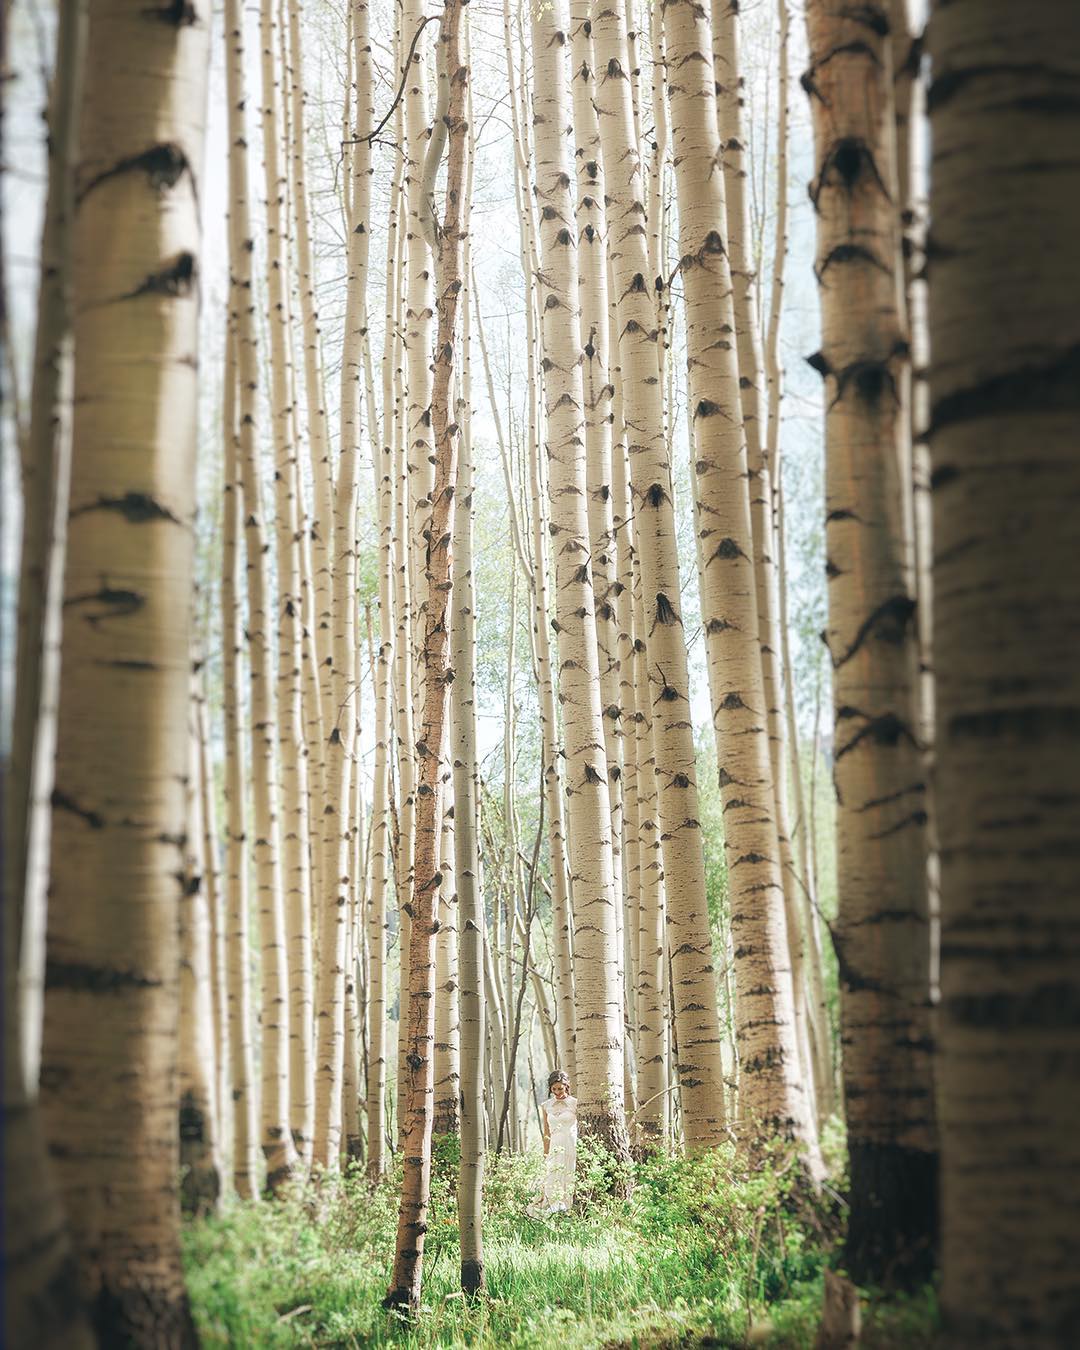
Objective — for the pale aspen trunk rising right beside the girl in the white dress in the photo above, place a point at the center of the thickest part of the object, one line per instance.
(599, 969)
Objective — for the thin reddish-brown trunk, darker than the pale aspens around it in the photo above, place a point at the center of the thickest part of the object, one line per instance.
(406, 1282)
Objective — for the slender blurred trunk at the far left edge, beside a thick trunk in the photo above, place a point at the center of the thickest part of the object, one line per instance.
(43, 1305)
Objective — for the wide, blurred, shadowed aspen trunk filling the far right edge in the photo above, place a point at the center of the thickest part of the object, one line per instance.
(1006, 605)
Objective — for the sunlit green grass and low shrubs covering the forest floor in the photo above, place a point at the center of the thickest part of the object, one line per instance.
(700, 1255)
